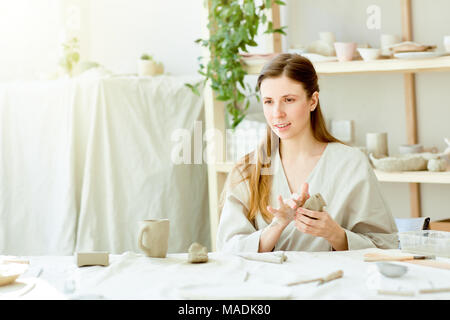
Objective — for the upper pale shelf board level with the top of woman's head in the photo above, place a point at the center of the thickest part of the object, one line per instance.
(376, 66)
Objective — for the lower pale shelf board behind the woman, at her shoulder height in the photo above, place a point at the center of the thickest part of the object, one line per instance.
(407, 176)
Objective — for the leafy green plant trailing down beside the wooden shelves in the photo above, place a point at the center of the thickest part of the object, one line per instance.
(234, 25)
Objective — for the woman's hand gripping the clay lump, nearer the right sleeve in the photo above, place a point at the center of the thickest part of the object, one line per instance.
(320, 224)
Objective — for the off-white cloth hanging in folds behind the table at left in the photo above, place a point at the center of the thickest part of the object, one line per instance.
(83, 160)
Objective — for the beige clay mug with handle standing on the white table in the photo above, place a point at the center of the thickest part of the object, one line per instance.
(154, 237)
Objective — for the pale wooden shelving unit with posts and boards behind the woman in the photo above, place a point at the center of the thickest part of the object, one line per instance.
(214, 114)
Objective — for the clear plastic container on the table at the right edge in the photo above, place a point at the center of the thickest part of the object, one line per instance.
(429, 242)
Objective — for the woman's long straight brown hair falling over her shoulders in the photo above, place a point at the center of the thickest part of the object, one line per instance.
(252, 165)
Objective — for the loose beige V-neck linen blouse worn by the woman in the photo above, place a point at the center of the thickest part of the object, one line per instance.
(345, 179)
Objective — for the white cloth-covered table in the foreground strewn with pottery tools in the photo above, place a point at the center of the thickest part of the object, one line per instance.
(135, 276)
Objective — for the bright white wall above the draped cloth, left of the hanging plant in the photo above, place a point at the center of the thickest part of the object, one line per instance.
(114, 33)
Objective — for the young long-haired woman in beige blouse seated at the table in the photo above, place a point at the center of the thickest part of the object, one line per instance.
(262, 199)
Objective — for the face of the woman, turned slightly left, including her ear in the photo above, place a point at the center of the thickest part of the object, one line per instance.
(286, 106)
